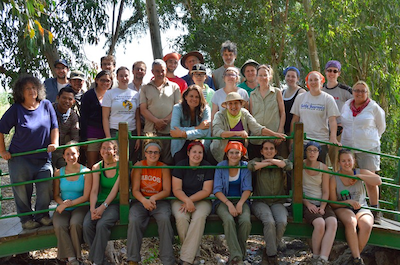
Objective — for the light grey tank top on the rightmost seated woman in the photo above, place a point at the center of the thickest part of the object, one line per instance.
(355, 192)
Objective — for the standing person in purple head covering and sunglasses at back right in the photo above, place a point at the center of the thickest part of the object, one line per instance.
(341, 93)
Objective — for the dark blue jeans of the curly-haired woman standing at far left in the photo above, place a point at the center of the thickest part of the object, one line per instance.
(24, 169)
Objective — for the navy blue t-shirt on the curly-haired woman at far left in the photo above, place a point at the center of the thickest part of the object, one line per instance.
(32, 128)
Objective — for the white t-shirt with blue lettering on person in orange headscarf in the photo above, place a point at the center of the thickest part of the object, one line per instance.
(314, 112)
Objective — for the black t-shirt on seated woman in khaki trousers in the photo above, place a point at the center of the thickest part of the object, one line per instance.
(193, 179)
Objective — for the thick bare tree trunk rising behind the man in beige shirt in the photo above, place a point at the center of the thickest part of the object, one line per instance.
(154, 28)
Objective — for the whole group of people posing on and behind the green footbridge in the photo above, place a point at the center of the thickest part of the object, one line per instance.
(191, 108)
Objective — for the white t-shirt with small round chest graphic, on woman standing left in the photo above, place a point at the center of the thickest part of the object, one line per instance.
(123, 104)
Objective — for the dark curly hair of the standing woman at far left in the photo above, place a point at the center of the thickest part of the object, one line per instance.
(18, 89)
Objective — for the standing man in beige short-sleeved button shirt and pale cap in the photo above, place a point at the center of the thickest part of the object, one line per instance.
(157, 100)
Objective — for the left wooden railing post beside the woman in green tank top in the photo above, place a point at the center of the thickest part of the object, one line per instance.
(123, 140)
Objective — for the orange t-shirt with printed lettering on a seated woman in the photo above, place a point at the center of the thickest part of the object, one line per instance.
(151, 179)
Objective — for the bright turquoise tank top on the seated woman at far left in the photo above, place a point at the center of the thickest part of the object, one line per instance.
(71, 190)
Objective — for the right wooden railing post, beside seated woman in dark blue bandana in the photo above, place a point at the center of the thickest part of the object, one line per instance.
(298, 147)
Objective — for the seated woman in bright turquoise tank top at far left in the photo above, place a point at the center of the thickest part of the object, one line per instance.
(68, 192)
